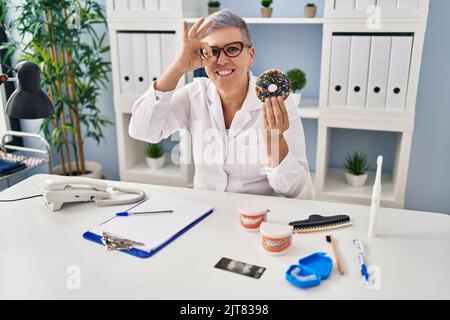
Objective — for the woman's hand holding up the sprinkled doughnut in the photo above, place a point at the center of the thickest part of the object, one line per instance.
(276, 122)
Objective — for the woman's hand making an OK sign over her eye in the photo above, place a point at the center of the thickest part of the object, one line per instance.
(189, 58)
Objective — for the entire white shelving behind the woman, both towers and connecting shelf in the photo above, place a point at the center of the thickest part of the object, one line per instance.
(340, 16)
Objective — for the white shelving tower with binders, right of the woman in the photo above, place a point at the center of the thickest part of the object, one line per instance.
(344, 17)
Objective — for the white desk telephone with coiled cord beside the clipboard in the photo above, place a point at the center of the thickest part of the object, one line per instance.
(58, 190)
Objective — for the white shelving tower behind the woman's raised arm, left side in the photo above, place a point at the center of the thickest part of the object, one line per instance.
(145, 17)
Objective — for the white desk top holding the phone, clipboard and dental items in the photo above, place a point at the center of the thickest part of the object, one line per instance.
(37, 247)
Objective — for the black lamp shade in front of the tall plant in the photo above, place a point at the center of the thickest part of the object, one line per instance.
(28, 101)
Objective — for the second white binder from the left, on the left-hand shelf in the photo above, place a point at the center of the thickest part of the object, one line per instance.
(139, 61)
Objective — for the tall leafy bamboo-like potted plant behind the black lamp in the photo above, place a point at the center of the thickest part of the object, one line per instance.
(62, 37)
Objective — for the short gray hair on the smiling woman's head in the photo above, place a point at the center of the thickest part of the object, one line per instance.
(225, 19)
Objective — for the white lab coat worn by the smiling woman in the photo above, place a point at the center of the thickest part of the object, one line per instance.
(224, 159)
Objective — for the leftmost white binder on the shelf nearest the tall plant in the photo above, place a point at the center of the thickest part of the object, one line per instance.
(125, 65)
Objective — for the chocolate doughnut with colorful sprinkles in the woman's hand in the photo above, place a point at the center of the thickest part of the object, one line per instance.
(272, 83)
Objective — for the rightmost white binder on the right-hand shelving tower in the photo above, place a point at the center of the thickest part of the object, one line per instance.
(399, 72)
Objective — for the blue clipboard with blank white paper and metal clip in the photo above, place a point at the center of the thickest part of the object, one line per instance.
(144, 235)
